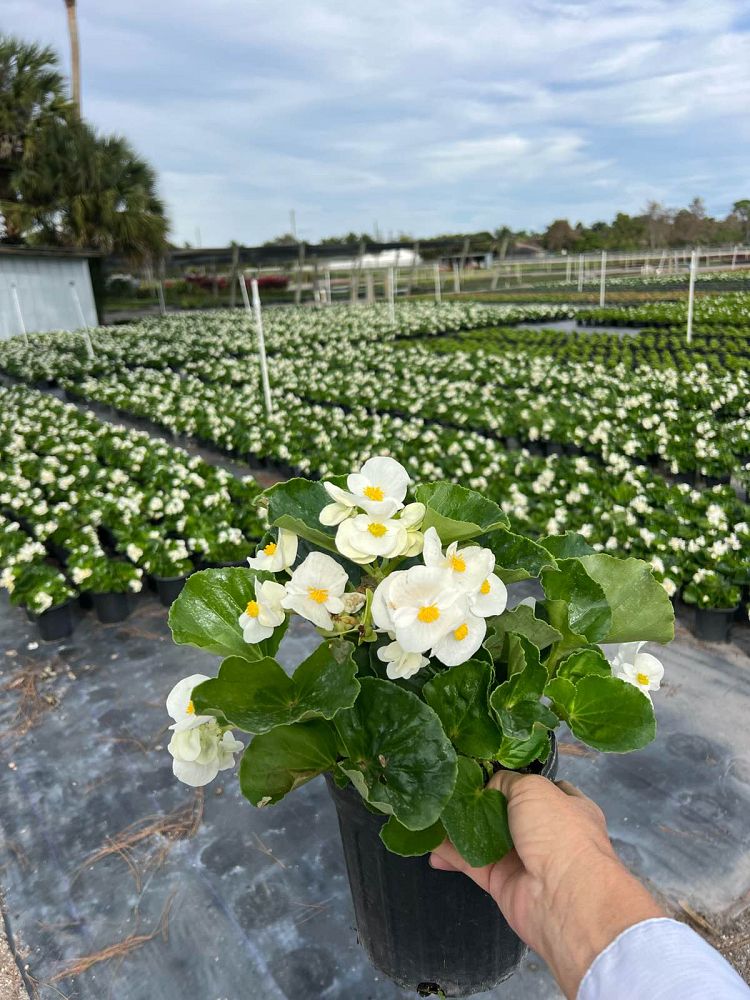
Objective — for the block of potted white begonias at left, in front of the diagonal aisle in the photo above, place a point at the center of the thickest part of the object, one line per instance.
(90, 510)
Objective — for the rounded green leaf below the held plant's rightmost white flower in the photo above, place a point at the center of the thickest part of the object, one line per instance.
(605, 712)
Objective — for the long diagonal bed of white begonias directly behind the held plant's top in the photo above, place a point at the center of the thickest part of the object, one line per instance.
(619, 507)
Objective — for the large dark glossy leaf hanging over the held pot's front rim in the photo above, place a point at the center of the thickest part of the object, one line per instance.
(397, 752)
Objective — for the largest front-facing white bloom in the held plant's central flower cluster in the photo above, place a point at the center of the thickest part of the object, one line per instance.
(425, 607)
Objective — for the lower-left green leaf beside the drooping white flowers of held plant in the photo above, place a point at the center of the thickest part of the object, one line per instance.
(285, 758)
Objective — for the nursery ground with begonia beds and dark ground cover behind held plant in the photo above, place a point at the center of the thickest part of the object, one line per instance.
(128, 464)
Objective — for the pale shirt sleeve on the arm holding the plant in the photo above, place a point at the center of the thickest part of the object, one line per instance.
(661, 959)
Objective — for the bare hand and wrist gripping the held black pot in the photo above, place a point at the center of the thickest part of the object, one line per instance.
(562, 889)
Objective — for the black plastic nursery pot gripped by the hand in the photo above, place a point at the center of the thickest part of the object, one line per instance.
(427, 930)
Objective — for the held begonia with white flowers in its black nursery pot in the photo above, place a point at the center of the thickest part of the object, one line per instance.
(424, 683)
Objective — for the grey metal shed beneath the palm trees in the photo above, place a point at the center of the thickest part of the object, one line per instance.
(43, 285)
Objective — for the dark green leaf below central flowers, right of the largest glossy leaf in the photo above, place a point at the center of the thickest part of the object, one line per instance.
(460, 696)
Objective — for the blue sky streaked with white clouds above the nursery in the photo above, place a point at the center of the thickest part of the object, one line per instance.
(426, 116)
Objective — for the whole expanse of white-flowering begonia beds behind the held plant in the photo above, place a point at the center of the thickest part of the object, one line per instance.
(638, 441)
